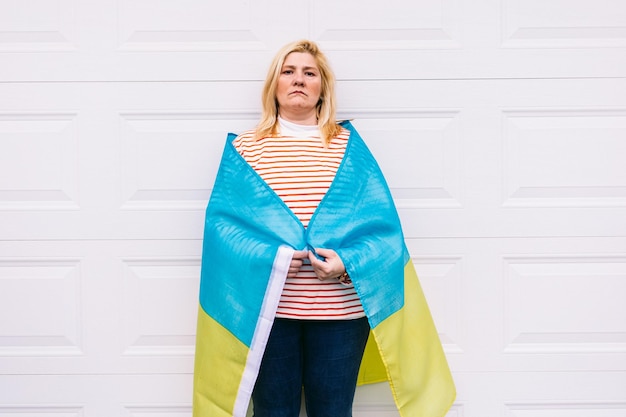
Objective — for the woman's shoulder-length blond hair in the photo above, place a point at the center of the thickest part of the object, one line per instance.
(326, 107)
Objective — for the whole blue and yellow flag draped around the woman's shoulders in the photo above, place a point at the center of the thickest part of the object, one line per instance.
(249, 239)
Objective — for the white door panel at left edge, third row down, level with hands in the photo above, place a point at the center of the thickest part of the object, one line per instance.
(40, 310)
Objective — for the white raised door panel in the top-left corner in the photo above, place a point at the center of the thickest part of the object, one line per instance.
(37, 25)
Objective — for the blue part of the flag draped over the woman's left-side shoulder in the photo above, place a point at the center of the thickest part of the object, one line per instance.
(246, 222)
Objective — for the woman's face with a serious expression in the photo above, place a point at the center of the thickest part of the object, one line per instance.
(299, 88)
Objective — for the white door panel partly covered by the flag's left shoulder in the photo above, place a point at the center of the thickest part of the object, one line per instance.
(168, 159)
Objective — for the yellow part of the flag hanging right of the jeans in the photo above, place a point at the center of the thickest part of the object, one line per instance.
(410, 352)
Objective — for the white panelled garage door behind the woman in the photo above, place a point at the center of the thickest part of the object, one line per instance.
(501, 126)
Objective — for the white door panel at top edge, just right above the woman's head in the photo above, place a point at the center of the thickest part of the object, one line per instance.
(393, 24)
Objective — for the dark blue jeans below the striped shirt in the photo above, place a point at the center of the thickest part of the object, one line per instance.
(323, 357)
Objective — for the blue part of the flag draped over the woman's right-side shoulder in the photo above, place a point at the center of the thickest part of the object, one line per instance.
(358, 219)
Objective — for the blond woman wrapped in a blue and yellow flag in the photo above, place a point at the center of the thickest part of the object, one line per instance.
(303, 252)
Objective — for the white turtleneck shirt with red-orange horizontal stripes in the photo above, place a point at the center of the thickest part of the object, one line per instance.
(299, 169)
